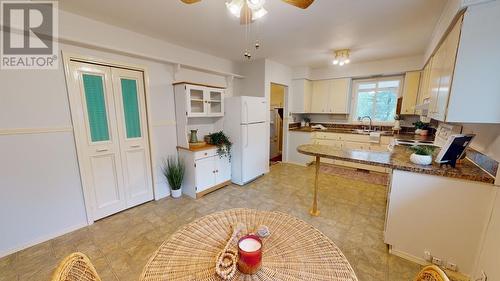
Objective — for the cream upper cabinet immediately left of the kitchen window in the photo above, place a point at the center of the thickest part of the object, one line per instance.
(331, 96)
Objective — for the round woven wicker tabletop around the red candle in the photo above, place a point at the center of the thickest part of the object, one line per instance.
(295, 250)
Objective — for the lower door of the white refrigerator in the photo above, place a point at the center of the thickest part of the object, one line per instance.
(254, 157)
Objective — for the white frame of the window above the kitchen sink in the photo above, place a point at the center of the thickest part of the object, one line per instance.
(354, 96)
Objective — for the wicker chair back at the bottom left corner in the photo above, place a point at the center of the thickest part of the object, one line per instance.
(76, 267)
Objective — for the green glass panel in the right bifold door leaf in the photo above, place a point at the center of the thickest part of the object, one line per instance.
(131, 108)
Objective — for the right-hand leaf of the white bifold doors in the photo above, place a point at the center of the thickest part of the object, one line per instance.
(130, 106)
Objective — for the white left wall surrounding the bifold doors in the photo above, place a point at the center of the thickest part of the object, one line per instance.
(40, 188)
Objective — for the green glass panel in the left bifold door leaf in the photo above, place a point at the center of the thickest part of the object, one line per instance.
(96, 107)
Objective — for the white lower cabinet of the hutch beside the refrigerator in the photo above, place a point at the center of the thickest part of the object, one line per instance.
(205, 171)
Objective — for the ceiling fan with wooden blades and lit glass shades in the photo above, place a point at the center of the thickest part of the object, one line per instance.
(246, 12)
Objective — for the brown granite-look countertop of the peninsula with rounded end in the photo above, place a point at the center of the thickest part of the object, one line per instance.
(398, 159)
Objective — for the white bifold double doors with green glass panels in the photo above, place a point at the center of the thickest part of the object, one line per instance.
(113, 176)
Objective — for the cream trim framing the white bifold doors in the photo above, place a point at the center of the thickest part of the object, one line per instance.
(68, 57)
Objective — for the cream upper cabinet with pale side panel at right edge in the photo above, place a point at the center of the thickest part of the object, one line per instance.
(467, 64)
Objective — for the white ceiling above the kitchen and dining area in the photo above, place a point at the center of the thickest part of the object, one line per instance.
(372, 29)
